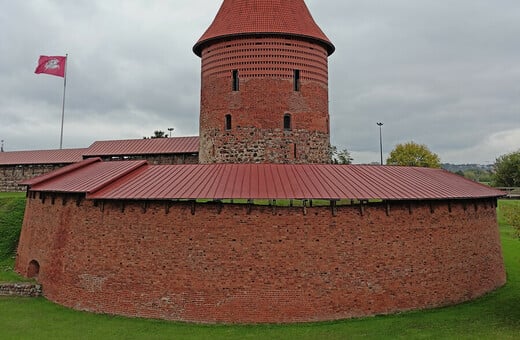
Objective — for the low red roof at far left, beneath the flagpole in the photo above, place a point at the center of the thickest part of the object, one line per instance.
(41, 157)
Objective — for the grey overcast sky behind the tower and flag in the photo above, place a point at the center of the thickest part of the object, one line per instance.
(441, 73)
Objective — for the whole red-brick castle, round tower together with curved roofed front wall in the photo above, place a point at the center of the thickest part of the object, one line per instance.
(269, 233)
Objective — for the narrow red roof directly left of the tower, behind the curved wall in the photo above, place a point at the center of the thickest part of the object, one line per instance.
(143, 146)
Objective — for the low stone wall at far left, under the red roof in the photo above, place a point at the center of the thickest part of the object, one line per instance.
(11, 175)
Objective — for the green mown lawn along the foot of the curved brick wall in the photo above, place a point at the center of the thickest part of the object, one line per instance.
(494, 316)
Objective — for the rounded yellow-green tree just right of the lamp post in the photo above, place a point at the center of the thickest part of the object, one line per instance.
(413, 154)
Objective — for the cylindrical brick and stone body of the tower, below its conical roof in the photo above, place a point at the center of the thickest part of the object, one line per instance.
(266, 93)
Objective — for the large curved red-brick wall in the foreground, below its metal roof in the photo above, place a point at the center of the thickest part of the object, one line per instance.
(253, 264)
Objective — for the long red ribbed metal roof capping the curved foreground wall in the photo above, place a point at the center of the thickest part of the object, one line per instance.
(264, 181)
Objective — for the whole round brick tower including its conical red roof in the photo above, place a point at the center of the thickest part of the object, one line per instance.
(264, 85)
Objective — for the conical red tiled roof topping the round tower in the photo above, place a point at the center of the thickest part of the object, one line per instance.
(250, 17)
